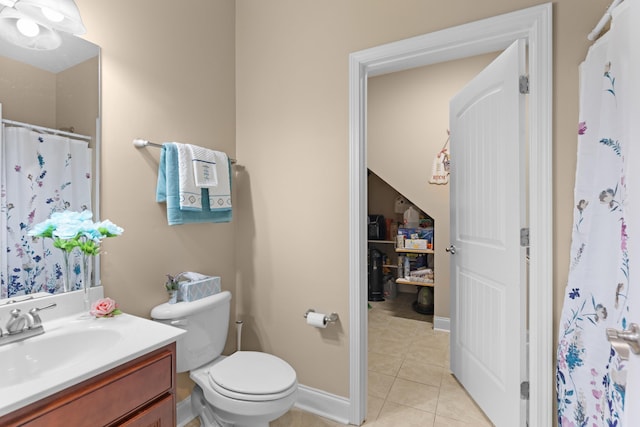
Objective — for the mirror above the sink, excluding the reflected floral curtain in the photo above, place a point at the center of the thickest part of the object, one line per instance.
(57, 89)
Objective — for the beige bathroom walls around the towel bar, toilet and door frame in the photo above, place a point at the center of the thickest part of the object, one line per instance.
(171, 76)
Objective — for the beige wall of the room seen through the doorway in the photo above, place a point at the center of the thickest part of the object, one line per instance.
(408, 118)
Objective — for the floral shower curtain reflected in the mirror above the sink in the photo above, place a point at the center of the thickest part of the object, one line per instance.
(39, 174)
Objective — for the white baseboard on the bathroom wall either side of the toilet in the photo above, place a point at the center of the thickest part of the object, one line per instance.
(318, 402)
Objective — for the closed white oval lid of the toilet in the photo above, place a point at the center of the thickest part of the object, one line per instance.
(253, 373)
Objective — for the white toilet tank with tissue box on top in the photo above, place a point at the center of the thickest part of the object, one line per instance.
(206, 321)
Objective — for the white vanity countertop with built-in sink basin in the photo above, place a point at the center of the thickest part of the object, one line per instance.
(73, 348)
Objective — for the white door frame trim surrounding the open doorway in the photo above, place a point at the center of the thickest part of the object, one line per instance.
(533, 24)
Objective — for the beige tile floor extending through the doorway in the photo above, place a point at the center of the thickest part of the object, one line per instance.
(409, 379)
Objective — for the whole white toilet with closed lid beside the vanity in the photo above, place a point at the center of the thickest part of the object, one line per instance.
(248, 388)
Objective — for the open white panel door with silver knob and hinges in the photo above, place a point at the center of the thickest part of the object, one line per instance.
(488, 272)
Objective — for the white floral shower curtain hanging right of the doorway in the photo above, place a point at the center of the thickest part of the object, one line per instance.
(591, 376)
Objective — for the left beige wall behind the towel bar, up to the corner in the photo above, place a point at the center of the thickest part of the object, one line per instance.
(167, 75)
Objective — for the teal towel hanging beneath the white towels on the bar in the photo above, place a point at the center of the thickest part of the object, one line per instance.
(168, 191)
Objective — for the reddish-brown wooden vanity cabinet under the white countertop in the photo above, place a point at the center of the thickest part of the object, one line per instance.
(139, 393)
